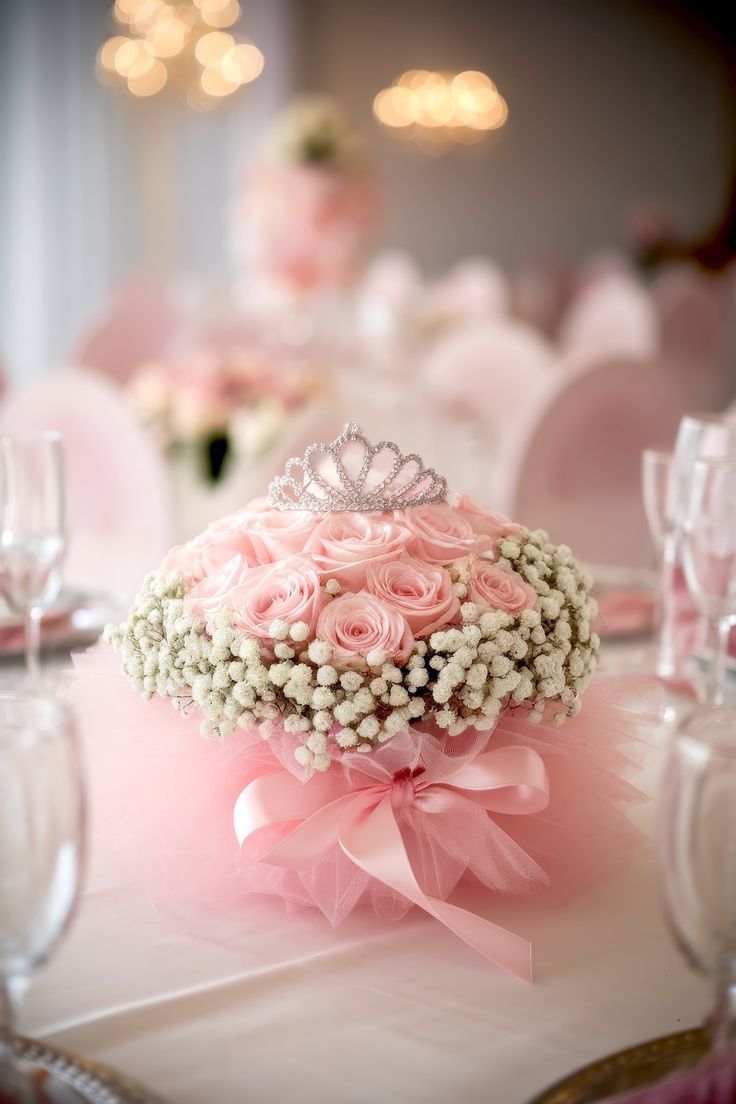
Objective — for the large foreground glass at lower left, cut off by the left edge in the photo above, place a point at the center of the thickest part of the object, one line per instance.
(42, 822)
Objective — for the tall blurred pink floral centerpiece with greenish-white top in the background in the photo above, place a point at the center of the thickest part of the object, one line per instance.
(308, 208)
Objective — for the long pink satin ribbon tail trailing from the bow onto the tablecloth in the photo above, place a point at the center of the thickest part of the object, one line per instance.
(375, 844)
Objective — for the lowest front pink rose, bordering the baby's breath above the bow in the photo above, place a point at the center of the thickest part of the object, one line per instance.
(357, 624)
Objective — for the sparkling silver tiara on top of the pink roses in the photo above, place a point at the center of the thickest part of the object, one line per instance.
(349, 474)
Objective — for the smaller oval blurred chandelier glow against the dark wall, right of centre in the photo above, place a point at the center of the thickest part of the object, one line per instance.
(438, 109)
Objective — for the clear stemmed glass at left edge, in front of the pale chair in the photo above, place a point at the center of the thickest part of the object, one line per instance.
(33, 532)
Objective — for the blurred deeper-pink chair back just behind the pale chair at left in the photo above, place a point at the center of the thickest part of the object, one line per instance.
(137, 326)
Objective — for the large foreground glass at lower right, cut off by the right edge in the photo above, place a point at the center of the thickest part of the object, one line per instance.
(697, 865)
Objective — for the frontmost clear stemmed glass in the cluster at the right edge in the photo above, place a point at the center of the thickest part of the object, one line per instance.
(710, 558)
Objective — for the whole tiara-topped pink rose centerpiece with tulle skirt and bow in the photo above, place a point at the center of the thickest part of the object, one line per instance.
(391, 680)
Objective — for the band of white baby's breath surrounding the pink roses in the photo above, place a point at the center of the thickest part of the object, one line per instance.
(463, 676)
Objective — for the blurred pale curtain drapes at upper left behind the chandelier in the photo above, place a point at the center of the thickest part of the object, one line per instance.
(97, 188)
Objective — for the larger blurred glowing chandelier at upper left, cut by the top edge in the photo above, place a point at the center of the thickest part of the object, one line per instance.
(179, 45)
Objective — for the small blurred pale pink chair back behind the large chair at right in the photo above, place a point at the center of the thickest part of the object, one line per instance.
(612, 315)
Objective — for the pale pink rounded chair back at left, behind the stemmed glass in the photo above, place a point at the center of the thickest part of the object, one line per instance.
(119, 521)
